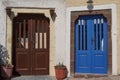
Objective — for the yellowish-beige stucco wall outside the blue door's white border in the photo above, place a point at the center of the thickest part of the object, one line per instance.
(76, 3)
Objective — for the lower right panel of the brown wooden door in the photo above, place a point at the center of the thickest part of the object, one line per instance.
(41, 65)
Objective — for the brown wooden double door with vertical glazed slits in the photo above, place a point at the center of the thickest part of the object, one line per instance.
(31, 43)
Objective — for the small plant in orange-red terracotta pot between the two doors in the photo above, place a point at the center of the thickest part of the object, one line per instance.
(60, 71)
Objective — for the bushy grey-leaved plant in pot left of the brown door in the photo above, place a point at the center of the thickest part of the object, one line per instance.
(6, 66)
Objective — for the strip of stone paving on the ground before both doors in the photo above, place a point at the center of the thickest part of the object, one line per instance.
(53, 78)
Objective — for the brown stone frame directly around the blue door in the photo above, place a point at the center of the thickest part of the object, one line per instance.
(74, 17)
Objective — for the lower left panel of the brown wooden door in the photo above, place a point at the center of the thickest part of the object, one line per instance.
(23, 62)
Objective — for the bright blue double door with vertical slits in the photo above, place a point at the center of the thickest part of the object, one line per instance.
(91, 44)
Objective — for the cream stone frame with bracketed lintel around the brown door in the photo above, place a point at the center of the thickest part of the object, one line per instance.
(13, 11)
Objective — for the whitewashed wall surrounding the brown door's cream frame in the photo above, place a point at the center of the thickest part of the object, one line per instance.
(59, 6)
